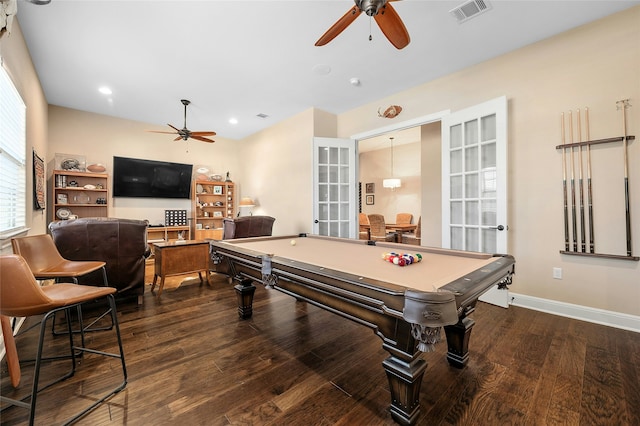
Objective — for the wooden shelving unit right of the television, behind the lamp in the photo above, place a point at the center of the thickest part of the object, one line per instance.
(211, 202)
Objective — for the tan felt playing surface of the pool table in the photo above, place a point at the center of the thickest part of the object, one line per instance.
(437, 268)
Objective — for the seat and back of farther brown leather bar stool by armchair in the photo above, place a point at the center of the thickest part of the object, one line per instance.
(45, 262)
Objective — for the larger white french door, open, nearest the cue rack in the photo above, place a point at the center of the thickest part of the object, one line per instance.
(474, 177)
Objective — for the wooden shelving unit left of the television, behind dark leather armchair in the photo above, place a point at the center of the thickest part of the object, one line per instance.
(80, 194)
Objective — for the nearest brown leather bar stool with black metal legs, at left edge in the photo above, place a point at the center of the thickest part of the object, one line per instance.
(22, 296)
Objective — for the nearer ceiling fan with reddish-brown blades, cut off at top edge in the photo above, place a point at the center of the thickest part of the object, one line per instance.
(385, 15)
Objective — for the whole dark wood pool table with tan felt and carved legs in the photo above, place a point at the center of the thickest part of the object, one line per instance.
(406, 306)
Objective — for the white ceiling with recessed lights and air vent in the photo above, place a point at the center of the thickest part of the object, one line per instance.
(243, 58)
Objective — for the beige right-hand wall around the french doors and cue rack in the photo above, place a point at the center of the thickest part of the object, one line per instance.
(594, 65)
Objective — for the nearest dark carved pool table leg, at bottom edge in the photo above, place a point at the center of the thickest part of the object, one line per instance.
(405, 379)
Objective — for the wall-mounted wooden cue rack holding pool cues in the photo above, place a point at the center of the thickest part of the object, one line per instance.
(575, 239)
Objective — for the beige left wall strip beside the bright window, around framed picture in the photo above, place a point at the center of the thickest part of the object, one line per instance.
(17, 61)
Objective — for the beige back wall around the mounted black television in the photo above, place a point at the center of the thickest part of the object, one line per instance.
(99, 138)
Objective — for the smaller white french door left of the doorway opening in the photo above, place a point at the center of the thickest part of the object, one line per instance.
(334, 187)
